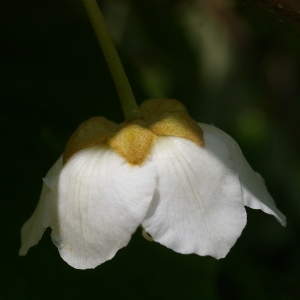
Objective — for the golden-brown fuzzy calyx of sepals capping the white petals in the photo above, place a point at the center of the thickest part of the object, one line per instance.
(134, 140)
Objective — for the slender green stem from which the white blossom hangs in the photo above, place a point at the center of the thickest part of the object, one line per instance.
(129, 106)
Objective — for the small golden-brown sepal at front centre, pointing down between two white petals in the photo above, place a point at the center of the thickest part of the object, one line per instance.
(133, 142)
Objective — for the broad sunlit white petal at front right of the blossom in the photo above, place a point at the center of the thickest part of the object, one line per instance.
(197, 207)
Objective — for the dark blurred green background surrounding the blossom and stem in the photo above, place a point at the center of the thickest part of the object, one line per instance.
(236, 68)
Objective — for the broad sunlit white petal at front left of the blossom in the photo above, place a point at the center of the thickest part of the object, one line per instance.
(101, 201)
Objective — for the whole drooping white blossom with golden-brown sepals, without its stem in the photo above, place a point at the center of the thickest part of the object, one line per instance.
(186, 184)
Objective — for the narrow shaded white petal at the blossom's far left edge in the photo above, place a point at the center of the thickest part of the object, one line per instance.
(33, 229)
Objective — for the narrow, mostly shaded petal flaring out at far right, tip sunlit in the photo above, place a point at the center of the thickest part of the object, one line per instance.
(255, 193)
